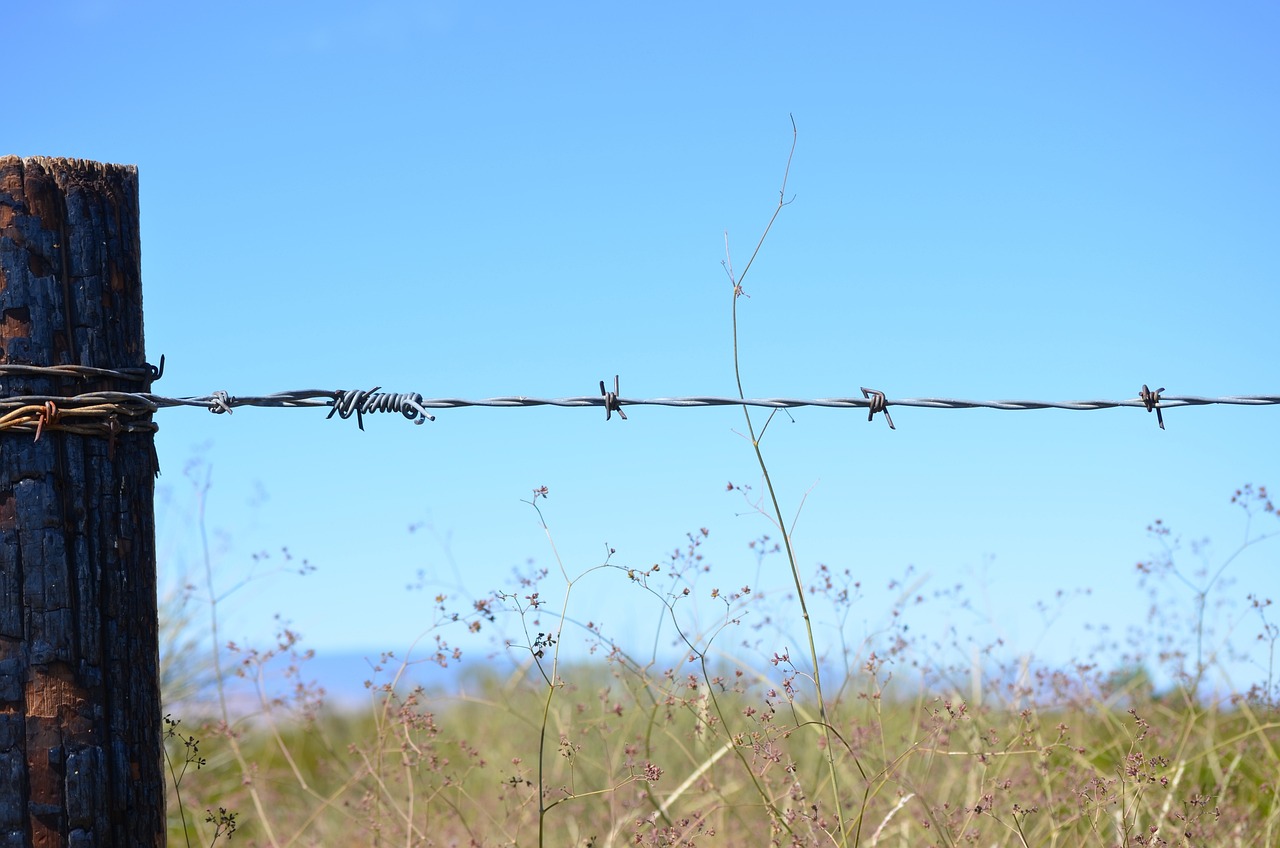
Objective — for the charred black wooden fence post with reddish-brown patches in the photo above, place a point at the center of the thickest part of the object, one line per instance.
(80, 700)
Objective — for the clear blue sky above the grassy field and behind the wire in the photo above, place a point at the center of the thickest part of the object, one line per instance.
(473, 200)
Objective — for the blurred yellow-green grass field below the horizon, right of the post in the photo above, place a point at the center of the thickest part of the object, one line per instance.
(618, 755)
